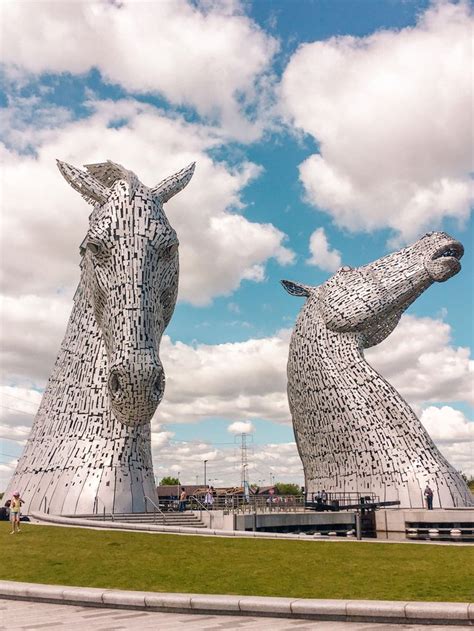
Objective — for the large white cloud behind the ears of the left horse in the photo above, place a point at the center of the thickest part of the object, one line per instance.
(46, 219)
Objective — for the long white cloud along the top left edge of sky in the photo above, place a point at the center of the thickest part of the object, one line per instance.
(209, 55)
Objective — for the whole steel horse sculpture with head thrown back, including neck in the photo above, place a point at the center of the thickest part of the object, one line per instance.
(353, 430)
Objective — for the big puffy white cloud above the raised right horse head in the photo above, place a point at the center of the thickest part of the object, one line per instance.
(392, 115)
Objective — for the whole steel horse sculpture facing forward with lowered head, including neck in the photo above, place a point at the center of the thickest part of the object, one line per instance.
(89, 447)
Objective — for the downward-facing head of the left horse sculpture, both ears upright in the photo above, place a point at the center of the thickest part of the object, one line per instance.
(130, 272)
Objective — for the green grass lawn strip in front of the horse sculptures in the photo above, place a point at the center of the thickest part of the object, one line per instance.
(212, 565)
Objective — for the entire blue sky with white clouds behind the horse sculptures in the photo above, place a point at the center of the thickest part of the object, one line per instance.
(326, 133)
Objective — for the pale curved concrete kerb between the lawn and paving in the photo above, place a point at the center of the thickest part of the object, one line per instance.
(293, 609)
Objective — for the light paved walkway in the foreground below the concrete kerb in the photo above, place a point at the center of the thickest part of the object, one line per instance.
(33, 616)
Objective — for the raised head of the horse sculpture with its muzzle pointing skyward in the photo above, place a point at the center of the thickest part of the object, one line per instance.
(371, 299)
